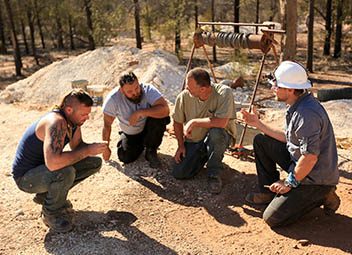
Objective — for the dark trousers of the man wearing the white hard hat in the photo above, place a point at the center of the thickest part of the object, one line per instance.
(289, 207)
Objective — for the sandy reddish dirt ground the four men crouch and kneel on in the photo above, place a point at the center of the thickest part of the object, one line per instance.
(133, 209)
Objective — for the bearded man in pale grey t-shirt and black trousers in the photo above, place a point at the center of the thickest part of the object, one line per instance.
(143, 115)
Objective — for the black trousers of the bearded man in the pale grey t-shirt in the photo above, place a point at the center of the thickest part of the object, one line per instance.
(129, 147)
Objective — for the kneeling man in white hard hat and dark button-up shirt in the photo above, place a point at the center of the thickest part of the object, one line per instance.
(306, 150)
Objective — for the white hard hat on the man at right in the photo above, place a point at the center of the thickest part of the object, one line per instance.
(291, 75)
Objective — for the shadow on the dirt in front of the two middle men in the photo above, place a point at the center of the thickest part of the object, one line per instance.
(193, 192)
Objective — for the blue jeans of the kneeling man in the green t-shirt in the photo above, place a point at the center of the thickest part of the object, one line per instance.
(210, 150)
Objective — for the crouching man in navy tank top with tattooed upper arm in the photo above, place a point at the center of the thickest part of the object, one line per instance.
(42, 167)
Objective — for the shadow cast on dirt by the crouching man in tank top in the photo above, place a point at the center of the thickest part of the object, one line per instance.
(104, 233)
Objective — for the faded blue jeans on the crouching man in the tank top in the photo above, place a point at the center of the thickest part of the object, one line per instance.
(57, 183)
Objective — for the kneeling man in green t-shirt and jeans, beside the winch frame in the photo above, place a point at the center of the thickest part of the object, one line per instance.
(204, 127)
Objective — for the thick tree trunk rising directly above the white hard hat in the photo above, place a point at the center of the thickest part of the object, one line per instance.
(288, 11)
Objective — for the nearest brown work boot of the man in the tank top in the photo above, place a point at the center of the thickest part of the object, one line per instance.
(58, 222)
